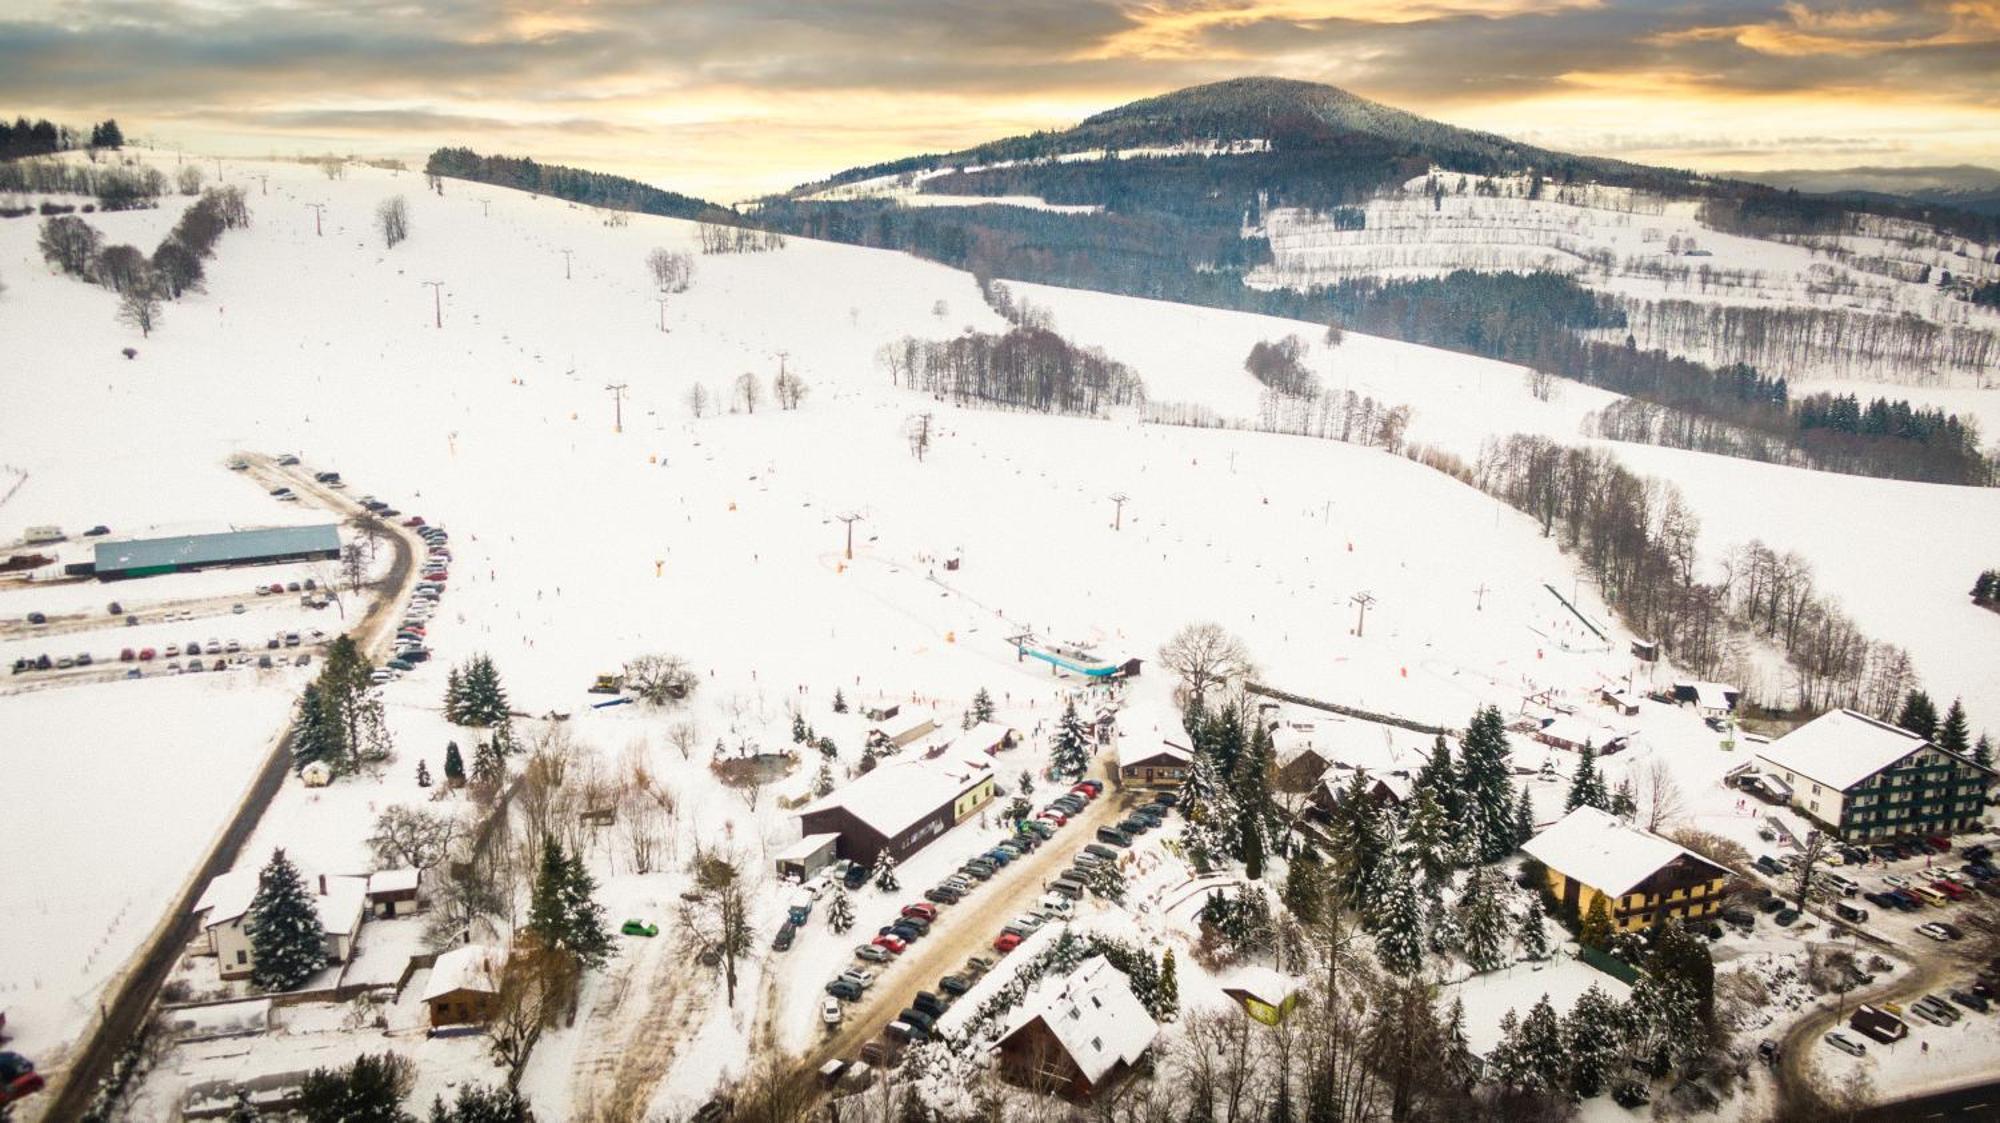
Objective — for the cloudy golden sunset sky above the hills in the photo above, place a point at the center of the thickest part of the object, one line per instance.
(737, 99)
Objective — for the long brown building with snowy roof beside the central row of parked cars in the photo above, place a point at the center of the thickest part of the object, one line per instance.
(899, 808)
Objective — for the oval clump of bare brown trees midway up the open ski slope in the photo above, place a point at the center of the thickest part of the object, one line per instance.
(1023, 369)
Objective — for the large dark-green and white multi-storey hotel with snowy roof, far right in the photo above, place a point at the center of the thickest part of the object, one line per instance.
(1869, 780)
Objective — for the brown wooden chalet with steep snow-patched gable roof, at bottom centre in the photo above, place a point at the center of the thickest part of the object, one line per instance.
(1077, 1034)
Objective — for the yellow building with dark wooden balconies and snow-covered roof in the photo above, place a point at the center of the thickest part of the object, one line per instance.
(1591, 854)
